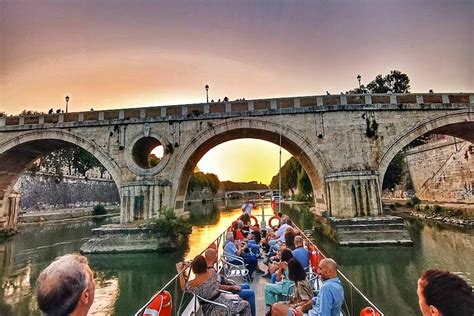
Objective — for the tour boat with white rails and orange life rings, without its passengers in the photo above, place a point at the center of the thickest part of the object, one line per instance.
(170, 300)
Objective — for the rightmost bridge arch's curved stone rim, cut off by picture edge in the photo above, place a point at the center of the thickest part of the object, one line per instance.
(458, 124)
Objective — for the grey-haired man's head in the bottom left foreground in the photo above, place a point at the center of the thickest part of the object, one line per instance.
(67, 285)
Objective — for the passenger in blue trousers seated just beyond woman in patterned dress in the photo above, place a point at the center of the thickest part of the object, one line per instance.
(243, 290)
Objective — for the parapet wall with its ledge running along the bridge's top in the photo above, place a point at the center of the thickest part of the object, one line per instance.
(246, 107)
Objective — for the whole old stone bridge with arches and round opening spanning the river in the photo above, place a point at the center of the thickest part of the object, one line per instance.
(345, 143)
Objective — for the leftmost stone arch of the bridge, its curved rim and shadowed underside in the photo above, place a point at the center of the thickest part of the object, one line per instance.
(17, 153)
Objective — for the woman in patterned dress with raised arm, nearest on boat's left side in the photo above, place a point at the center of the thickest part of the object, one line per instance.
(206, 285)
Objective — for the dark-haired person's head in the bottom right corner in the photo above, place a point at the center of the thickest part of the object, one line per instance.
(441, 293)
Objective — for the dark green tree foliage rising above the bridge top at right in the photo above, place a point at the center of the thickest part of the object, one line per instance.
(394, 82)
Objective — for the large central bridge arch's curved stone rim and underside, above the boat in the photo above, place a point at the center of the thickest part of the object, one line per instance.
(310, 157)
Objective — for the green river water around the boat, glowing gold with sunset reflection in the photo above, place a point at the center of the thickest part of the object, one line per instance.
(125, 281)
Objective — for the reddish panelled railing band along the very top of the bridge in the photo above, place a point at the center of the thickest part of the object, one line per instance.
(195, 110)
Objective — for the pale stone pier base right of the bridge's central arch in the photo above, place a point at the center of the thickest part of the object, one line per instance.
(353, 194)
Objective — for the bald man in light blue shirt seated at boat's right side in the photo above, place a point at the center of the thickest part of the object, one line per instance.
(329, 300)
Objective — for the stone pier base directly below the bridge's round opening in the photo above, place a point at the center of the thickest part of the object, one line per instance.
(143, 200)
